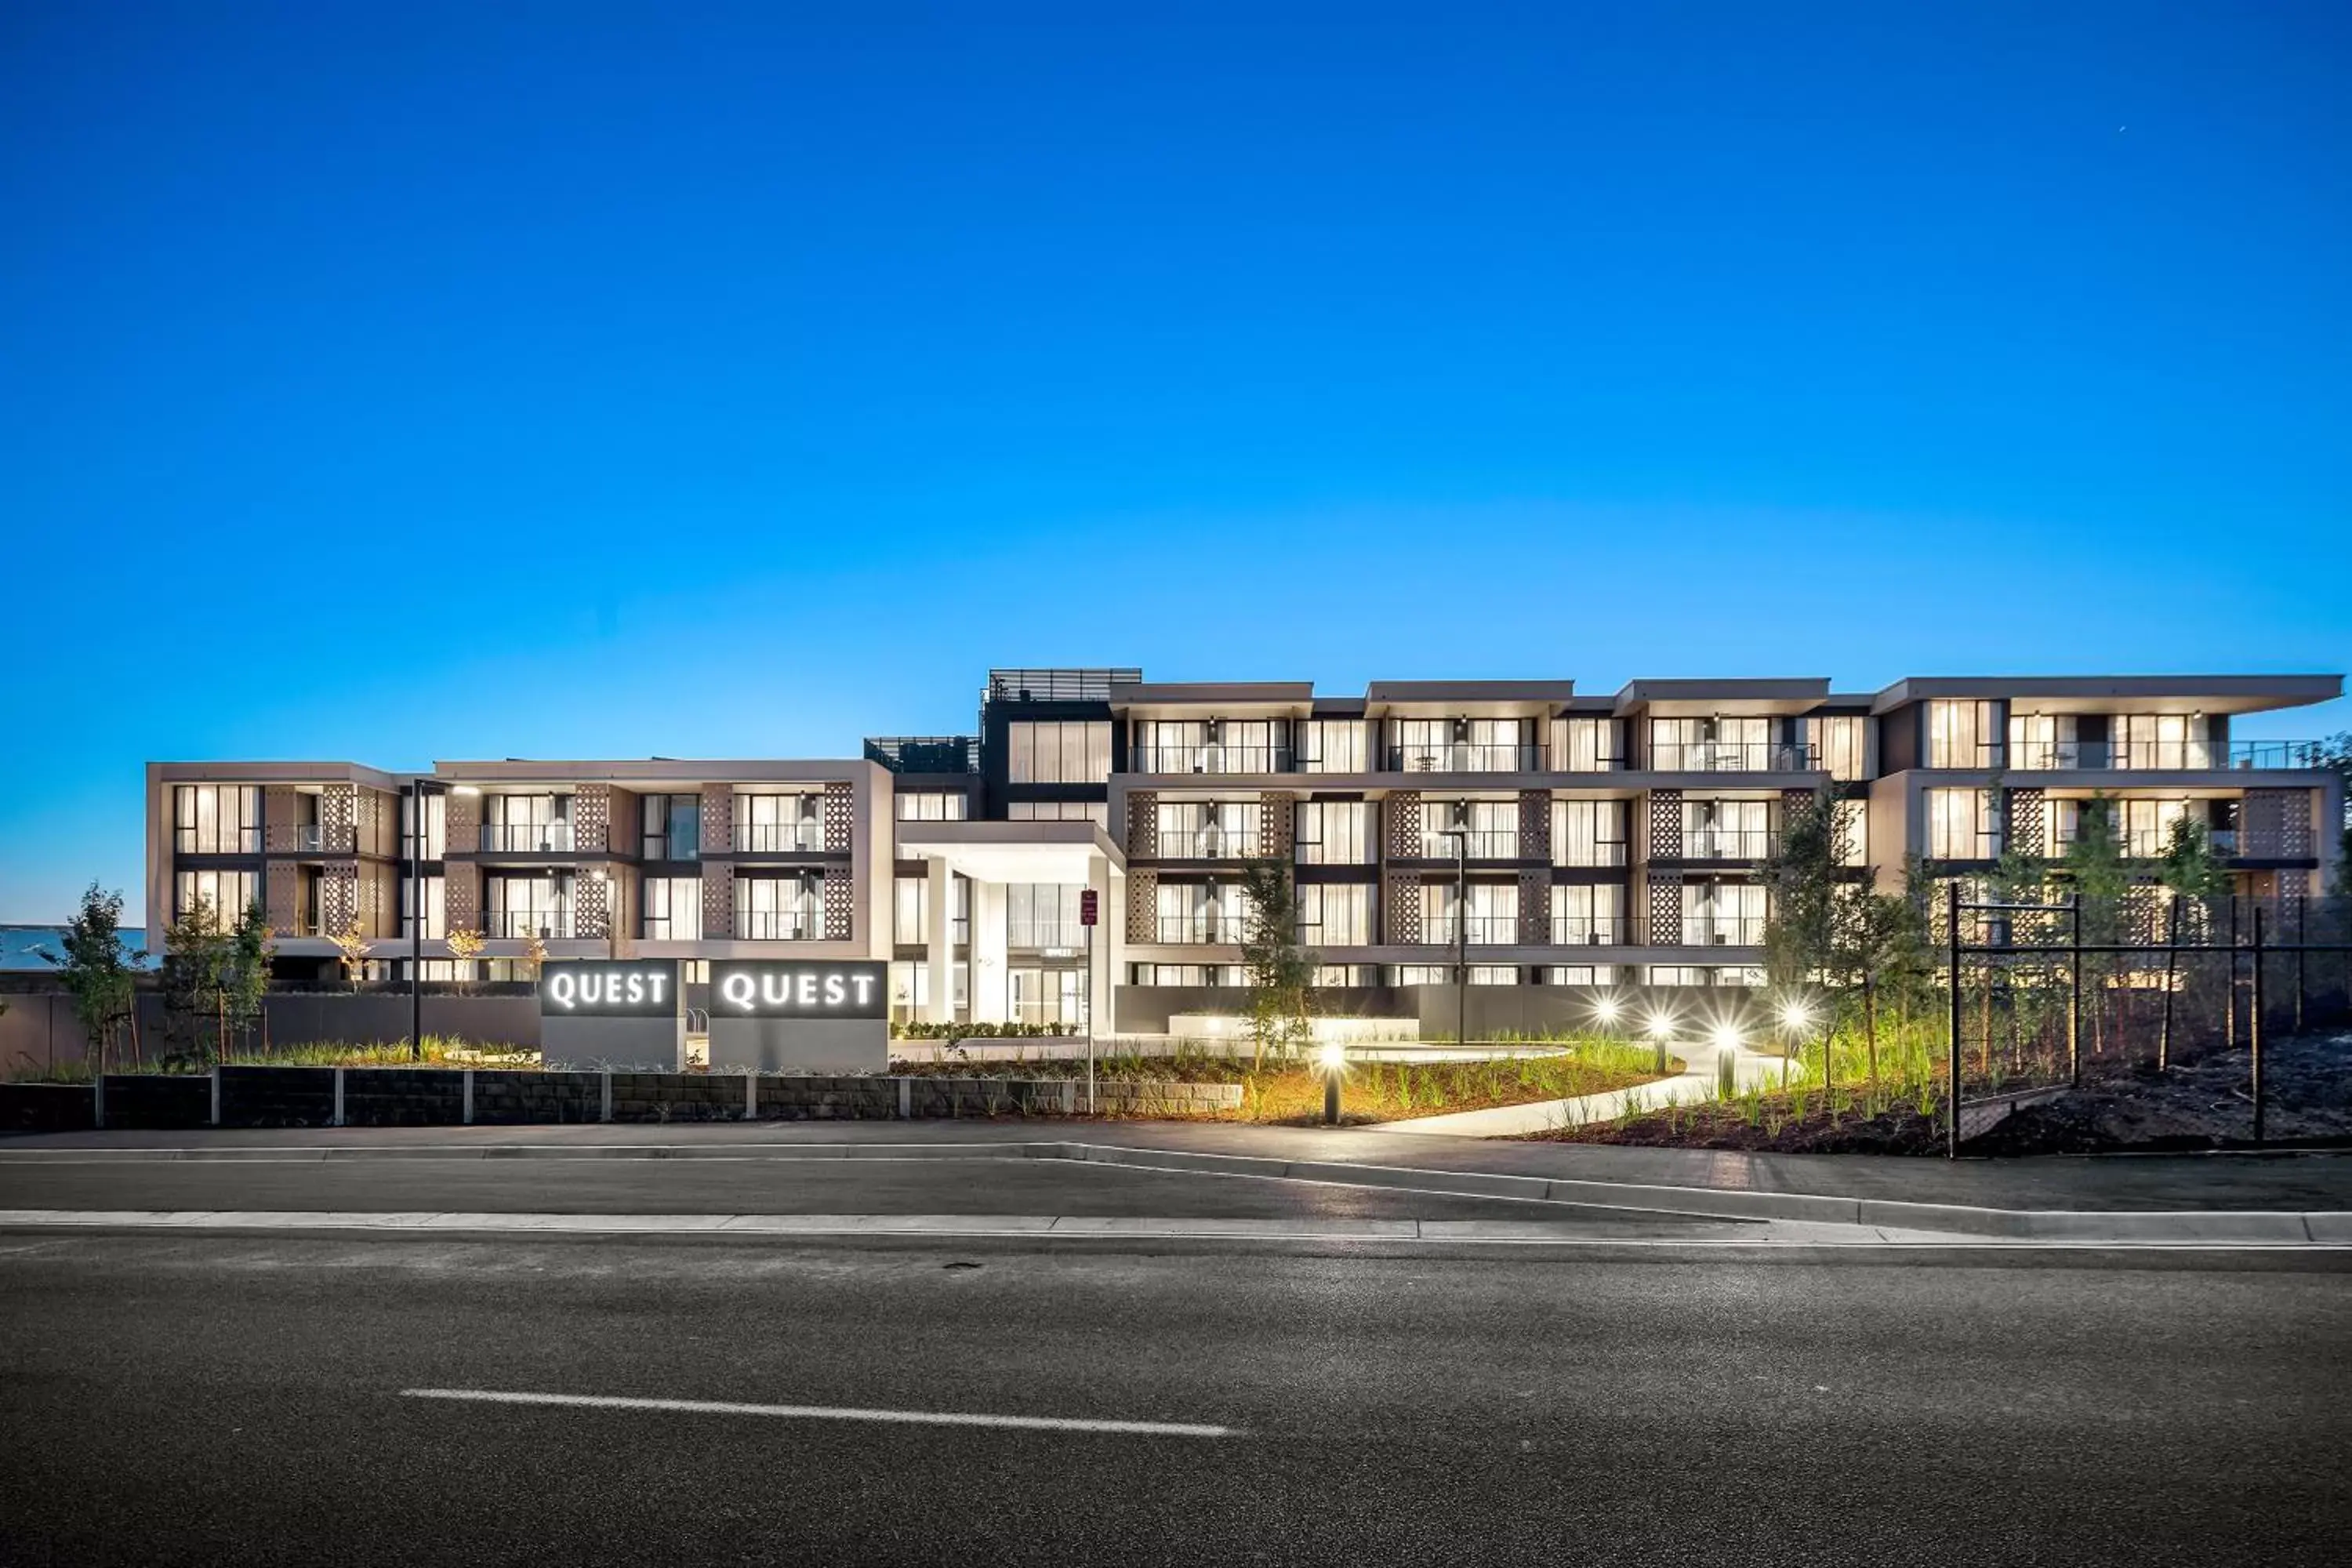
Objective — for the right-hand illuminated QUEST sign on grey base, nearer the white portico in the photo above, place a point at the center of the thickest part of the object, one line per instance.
(801, 1014)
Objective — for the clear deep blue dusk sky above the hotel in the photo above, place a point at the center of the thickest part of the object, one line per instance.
(446, 382)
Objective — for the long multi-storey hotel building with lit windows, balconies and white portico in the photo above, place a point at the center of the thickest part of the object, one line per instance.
(1563, 840)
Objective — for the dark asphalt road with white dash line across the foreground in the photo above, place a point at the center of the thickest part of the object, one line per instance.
(213, 1400)
